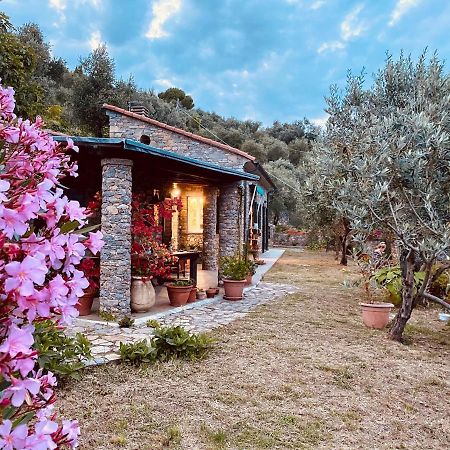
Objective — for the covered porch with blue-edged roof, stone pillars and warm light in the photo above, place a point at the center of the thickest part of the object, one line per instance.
(209, 224)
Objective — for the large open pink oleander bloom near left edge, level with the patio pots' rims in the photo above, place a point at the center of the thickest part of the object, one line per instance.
(24, 274)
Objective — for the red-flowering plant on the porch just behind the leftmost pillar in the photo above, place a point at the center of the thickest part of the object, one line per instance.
(149, 256)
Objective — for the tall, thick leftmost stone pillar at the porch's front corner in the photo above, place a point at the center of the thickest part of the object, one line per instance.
(115, 260)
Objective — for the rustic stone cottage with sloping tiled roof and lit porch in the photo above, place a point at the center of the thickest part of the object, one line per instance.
(223, 189)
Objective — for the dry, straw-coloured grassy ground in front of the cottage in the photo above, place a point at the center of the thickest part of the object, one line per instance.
(299, 373)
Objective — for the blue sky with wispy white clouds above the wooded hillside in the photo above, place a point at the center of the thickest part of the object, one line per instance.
(264, 60)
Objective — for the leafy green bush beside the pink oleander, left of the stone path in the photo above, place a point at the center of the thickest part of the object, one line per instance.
(59, 353)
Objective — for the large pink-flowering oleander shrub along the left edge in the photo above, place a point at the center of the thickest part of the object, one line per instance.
(41, 245)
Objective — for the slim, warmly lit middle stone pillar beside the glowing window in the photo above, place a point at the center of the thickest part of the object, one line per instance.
(210, 251)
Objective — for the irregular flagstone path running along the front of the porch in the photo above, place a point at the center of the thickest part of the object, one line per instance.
(106, 338)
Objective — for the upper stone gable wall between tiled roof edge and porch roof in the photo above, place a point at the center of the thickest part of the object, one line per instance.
(121, 126)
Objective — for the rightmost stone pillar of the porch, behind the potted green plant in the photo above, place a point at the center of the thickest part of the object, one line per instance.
(230, 223)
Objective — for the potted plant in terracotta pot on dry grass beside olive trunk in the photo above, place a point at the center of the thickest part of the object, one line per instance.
(375, 314)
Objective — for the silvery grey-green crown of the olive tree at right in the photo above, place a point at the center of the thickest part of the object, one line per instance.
(385, 160)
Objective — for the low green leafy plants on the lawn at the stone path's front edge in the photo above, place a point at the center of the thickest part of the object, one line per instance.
(167, 343)
